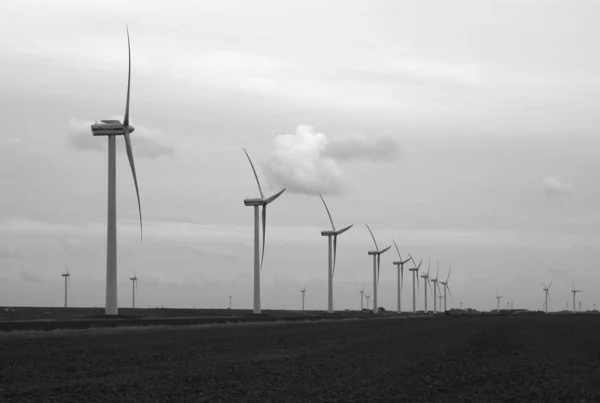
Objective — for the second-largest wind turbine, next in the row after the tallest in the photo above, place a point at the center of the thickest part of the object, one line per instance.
(256, 203)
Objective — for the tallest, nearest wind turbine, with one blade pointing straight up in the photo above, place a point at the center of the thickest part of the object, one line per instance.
(113, 128)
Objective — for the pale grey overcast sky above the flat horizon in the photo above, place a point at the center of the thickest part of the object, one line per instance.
(465, 130)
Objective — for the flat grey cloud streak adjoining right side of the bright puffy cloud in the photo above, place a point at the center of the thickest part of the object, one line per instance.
(376, 149)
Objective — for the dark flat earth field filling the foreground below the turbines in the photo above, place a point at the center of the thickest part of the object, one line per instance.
(435, 359)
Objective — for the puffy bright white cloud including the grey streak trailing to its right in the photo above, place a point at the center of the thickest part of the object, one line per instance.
(307, 162)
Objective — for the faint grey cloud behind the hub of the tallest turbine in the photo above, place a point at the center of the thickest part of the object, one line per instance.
(146, 143)
